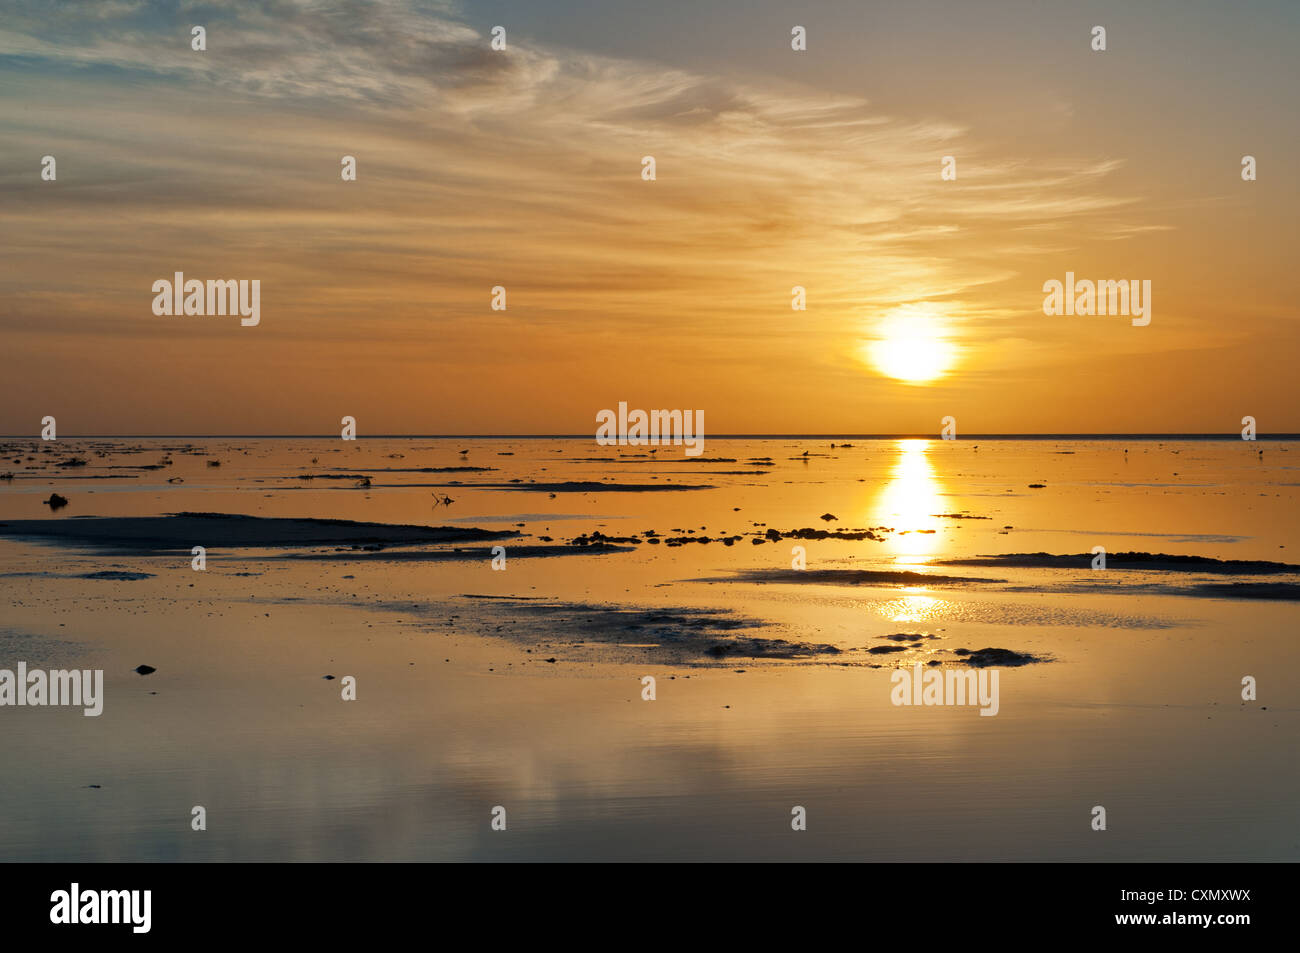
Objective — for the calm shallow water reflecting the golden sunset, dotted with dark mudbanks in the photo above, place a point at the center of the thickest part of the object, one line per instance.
(1137, 704)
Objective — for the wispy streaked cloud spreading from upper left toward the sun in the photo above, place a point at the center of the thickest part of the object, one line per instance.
(483, 168)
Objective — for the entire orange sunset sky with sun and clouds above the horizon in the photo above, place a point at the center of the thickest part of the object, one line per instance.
(523, 170)
